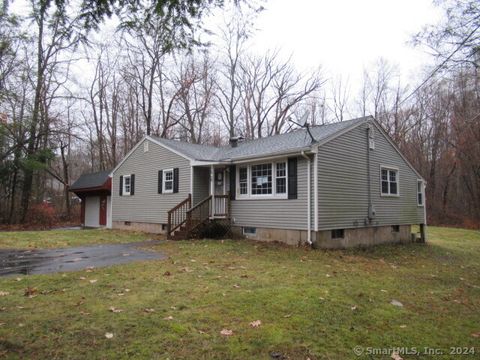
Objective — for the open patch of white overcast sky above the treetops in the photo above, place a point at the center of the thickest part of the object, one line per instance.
(343, 36)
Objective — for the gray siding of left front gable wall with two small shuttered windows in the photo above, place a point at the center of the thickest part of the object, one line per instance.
(147, 205)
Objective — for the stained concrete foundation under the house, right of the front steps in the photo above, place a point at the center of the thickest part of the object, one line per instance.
(323, 239)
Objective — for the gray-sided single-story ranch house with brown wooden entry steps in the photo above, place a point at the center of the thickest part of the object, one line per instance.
(337, 185)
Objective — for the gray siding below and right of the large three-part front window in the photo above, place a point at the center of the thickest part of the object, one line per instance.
(276, 213)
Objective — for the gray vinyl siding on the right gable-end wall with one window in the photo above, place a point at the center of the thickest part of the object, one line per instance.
(343, 186)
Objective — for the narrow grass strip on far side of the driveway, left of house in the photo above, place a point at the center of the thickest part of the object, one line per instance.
(66, 238)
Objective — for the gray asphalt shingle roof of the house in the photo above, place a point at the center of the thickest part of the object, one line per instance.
(283, 143)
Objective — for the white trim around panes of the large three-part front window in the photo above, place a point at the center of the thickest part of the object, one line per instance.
(273, 195)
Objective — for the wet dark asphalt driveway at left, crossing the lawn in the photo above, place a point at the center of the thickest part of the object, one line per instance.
(44, 261)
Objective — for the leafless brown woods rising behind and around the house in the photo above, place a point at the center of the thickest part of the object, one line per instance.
(75, 100)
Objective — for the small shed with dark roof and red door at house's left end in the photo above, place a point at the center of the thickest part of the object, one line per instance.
(94, 190)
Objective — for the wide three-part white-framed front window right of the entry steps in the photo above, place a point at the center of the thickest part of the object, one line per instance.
(263, 180)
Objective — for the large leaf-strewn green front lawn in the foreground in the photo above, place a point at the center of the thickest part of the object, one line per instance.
(312, 303)
